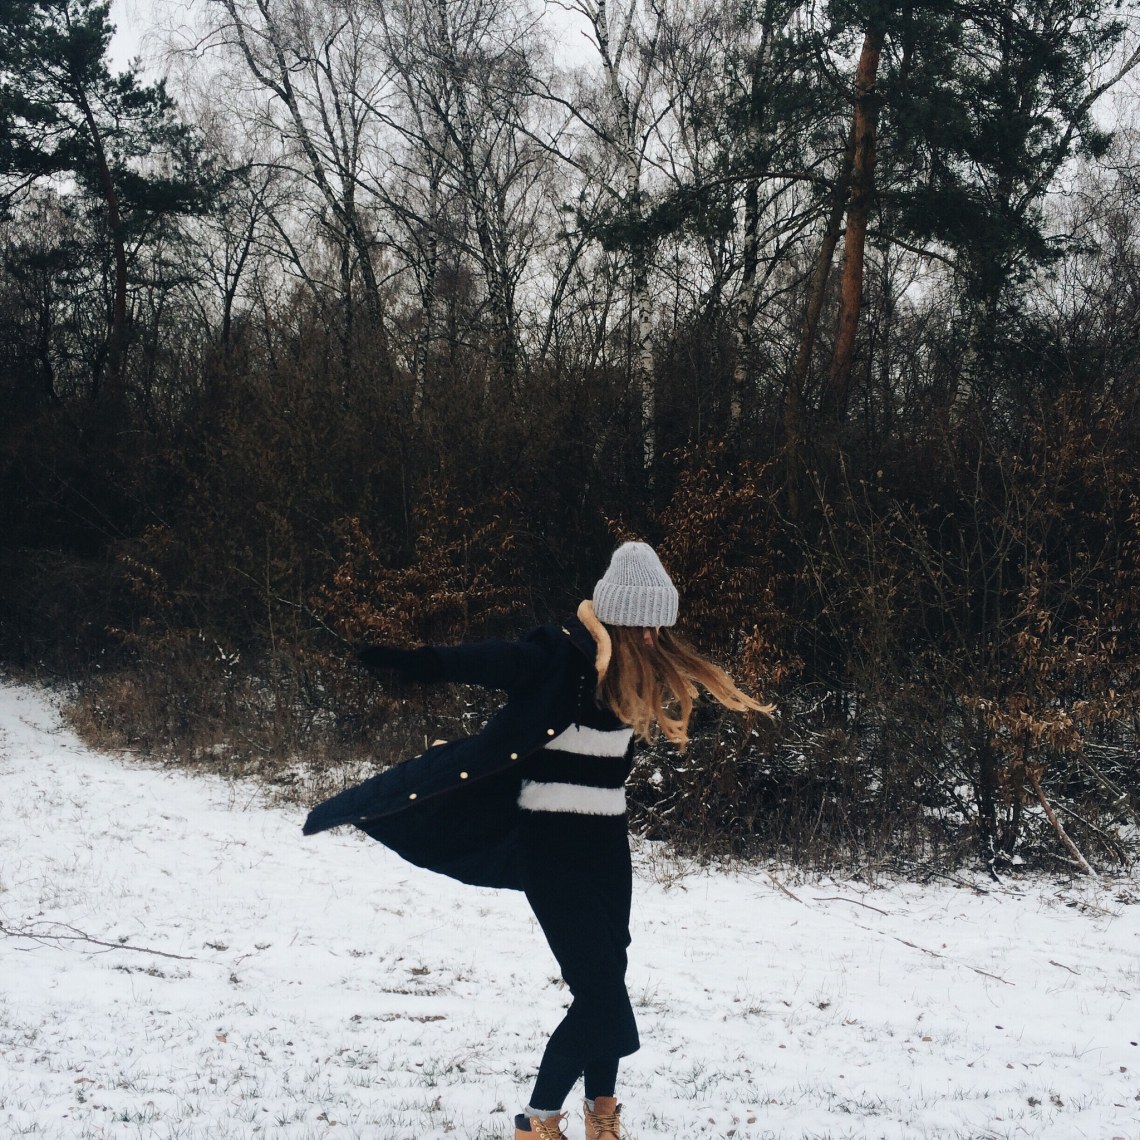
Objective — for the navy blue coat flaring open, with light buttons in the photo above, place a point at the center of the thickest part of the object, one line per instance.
(454, 809)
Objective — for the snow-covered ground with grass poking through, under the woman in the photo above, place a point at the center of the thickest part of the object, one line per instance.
(178, 964)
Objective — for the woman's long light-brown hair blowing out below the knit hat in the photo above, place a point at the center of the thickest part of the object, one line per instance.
(642, 682)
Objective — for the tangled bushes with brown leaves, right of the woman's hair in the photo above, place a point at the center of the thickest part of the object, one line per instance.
(956, 666)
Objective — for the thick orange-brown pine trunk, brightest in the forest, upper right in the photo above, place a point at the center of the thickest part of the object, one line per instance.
(865, 129)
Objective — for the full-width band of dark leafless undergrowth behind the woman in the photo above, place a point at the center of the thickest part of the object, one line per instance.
(948, 621)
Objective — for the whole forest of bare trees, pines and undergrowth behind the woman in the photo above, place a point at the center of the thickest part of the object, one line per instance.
(387, 320)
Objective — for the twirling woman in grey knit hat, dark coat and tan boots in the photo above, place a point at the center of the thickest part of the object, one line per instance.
(536, 801)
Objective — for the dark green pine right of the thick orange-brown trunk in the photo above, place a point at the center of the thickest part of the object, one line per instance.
(986, 115)
